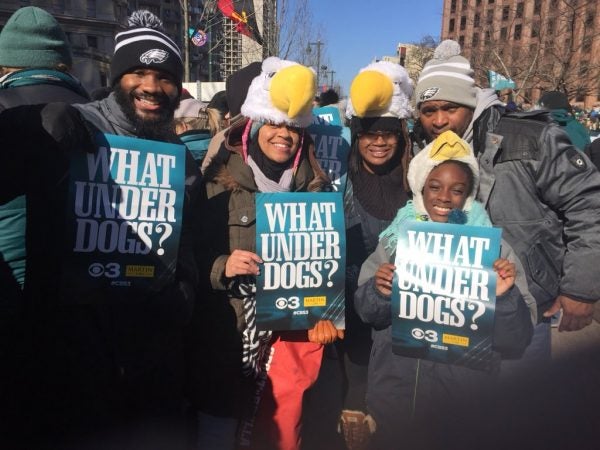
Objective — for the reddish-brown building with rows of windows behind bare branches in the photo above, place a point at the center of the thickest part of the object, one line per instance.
(541, 44)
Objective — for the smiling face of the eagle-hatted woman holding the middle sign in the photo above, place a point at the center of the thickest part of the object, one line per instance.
(279, 143)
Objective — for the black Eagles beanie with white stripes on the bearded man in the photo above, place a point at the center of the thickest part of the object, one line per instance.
(145, 44)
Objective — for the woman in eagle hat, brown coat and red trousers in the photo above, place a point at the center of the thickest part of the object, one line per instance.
(237, 372)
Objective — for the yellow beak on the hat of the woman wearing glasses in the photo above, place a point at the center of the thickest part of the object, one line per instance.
(370, 91)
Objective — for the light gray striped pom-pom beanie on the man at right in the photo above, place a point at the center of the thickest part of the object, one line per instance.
(447, 76)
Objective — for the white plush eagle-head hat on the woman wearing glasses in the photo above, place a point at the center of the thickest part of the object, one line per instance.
(381, 89)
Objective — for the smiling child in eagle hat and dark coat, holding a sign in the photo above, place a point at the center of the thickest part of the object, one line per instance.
(415, 402)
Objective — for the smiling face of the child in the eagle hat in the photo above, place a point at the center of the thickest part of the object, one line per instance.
(446, 188)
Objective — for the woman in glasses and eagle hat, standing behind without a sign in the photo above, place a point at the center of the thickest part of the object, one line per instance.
(380, 150)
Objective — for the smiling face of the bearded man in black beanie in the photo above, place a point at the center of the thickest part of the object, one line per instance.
(152, 94)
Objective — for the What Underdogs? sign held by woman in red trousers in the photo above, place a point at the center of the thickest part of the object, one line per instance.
(300, 237)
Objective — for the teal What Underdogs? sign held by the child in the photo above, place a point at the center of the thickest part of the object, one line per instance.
(444, 293)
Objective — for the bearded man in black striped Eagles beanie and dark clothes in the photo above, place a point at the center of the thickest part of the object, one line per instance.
(104, 370)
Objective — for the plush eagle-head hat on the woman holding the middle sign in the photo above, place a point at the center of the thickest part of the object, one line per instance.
(281, 94)
